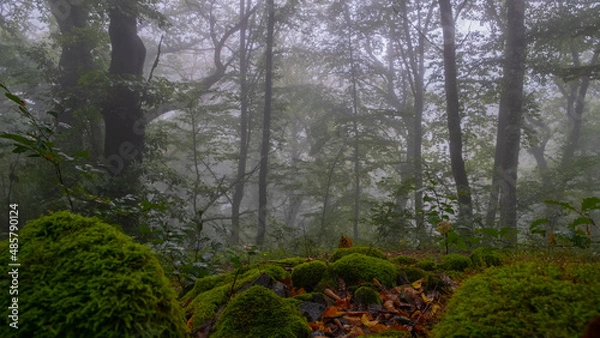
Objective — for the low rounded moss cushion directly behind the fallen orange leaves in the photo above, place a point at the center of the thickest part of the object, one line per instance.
(356, 267)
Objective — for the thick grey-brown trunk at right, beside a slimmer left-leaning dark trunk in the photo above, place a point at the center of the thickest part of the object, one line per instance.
(510, 115)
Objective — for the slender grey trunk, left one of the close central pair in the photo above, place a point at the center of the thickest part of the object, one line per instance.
(238, 193)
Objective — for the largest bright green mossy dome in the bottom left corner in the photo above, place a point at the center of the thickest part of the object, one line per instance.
(81, 277)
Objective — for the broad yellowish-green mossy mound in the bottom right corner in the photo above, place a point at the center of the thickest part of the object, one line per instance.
(524, 300)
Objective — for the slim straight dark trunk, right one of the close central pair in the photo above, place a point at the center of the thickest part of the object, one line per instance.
(266, 137)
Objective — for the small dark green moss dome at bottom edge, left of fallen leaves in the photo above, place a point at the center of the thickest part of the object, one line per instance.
(275, 317)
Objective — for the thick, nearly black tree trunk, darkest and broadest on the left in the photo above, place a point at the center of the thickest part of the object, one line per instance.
(123, 118)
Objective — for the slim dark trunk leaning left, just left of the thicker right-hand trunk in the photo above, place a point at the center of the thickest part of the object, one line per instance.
(459, 172)
